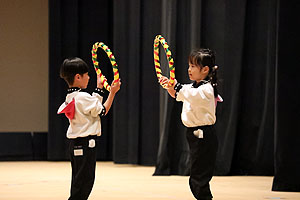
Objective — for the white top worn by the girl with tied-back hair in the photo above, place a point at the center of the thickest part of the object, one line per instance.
(198, 105)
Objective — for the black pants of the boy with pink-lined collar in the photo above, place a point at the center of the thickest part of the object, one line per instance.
(83, 162)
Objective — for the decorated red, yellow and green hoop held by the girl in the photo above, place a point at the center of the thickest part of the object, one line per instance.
(160, 39)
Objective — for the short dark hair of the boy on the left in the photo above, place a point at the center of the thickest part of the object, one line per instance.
(72, 66)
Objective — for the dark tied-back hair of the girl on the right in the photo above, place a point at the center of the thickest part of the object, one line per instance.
(206, 57)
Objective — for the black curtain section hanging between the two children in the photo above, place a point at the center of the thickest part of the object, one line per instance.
(136, 107)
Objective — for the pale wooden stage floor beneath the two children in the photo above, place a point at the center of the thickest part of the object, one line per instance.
(51, 180)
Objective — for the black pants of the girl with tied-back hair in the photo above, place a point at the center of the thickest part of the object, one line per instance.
(203, 153)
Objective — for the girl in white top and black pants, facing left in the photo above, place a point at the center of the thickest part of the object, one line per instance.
(198, 115)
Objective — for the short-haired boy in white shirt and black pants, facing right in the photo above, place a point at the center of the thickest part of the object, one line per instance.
(83, 111)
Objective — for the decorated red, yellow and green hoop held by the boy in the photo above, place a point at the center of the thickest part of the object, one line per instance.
(112, 61)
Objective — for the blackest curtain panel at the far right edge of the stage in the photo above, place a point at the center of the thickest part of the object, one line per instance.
(287, 137)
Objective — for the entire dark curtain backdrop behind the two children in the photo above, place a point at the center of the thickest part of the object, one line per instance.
(256, 44)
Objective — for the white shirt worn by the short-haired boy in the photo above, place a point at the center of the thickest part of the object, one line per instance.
(87, 109)
